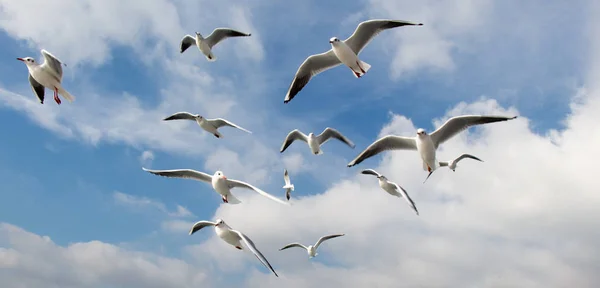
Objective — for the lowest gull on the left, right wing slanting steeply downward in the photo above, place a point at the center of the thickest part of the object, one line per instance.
(232, 237)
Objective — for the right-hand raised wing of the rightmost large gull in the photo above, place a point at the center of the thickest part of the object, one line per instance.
(458, 124)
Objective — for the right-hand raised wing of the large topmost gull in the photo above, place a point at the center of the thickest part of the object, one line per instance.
(367, 30)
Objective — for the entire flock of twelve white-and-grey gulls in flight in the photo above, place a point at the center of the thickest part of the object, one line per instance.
(49, 75)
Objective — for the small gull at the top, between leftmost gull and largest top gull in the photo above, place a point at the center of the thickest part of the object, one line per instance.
(205, 45)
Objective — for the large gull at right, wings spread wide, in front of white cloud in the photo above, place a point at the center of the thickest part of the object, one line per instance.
(424, 143)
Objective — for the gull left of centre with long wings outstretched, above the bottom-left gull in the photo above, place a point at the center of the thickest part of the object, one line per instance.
(220, 183)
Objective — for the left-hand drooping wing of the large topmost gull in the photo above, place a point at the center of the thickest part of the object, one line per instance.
(312, 66)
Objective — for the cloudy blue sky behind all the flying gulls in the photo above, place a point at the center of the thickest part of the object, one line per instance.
(77, 210)
